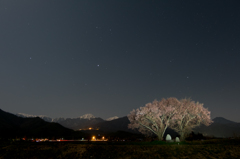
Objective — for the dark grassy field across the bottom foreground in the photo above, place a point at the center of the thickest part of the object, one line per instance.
(217, 148)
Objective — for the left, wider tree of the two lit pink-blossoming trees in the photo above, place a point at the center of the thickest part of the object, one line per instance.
(155, 117)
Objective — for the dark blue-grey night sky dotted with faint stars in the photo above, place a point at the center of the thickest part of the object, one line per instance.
(107, 57)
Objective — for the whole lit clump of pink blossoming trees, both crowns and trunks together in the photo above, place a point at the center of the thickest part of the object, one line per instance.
(182, 116)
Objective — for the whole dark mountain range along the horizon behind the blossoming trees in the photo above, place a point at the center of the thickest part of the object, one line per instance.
(10, 125)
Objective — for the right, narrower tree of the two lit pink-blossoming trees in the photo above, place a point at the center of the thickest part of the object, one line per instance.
(189, 115)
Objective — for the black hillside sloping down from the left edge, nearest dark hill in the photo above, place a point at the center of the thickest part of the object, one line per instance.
(14, 126)
